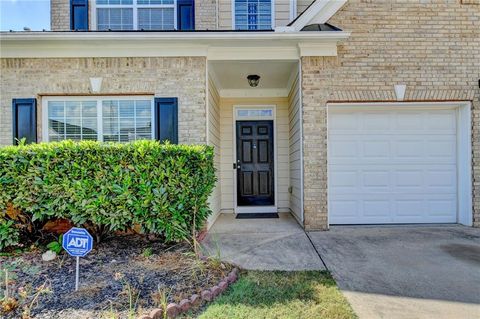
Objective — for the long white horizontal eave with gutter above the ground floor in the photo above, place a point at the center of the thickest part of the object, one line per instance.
(214, 45)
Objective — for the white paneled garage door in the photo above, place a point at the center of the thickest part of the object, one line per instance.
(392, 166)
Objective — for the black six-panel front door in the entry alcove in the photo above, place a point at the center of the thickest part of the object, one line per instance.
(255, 168)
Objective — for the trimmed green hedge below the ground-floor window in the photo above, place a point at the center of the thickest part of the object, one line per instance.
(159, 187)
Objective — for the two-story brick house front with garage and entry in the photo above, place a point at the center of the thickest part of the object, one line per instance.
(362, 112)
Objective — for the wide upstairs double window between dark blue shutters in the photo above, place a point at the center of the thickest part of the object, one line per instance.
(136, 14)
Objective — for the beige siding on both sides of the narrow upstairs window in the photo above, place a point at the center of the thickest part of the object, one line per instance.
(282, 13)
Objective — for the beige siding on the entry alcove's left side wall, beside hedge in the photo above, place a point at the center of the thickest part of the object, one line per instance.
(214, 140)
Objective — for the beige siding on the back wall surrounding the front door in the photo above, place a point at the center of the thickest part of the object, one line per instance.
(227, 149)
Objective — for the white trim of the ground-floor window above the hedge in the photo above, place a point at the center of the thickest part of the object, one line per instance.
(99, 100)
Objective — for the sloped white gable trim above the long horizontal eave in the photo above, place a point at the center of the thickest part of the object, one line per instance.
(318, 13)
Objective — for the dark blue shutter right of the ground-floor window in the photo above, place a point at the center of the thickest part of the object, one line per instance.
(166, 119)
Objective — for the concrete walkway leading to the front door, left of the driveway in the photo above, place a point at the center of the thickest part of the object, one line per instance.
(262, 244)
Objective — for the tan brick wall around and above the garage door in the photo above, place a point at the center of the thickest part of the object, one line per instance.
(432, 46)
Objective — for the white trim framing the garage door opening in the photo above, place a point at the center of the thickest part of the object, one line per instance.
(464, 145)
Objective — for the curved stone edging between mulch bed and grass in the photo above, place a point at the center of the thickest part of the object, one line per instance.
(207, 295)
